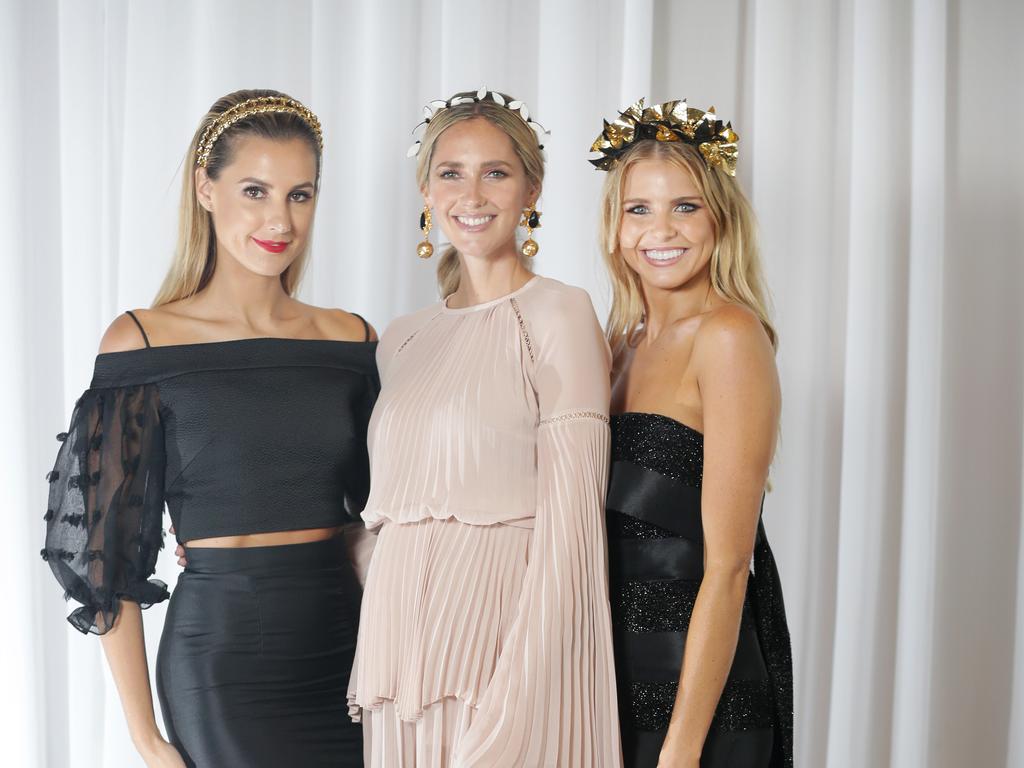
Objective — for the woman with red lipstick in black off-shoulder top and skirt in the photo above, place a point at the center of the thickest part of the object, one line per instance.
(245, 412)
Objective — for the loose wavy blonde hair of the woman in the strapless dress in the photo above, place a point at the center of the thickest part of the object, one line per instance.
(737, 274)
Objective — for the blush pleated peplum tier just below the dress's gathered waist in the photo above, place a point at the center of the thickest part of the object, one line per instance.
(439, 605)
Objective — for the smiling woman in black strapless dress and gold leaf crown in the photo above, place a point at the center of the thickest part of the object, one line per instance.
(704, 666)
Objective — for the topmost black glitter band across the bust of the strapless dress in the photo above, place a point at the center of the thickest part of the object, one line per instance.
(660, 444)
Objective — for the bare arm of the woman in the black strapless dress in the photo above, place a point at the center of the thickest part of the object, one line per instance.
(740, 393)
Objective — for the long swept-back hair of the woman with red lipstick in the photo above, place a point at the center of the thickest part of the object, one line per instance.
(196, 254)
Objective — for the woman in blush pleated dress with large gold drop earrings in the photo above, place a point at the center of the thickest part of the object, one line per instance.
(485, 637)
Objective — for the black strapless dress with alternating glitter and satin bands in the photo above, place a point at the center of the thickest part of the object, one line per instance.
(656, 550)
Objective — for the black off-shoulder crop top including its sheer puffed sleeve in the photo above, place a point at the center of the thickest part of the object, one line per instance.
(246, 437)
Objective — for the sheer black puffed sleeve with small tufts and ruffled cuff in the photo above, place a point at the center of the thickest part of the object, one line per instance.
(106, 505)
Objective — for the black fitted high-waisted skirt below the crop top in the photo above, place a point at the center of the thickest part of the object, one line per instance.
(255, 657)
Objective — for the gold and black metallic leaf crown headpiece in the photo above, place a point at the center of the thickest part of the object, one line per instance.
(673, 121)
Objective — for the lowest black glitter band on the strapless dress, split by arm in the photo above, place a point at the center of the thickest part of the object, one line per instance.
(745, 706)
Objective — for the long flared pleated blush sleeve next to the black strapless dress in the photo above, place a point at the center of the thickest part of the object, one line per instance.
(552, 699)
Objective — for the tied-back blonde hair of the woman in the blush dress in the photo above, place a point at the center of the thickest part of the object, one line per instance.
(525, 143)
